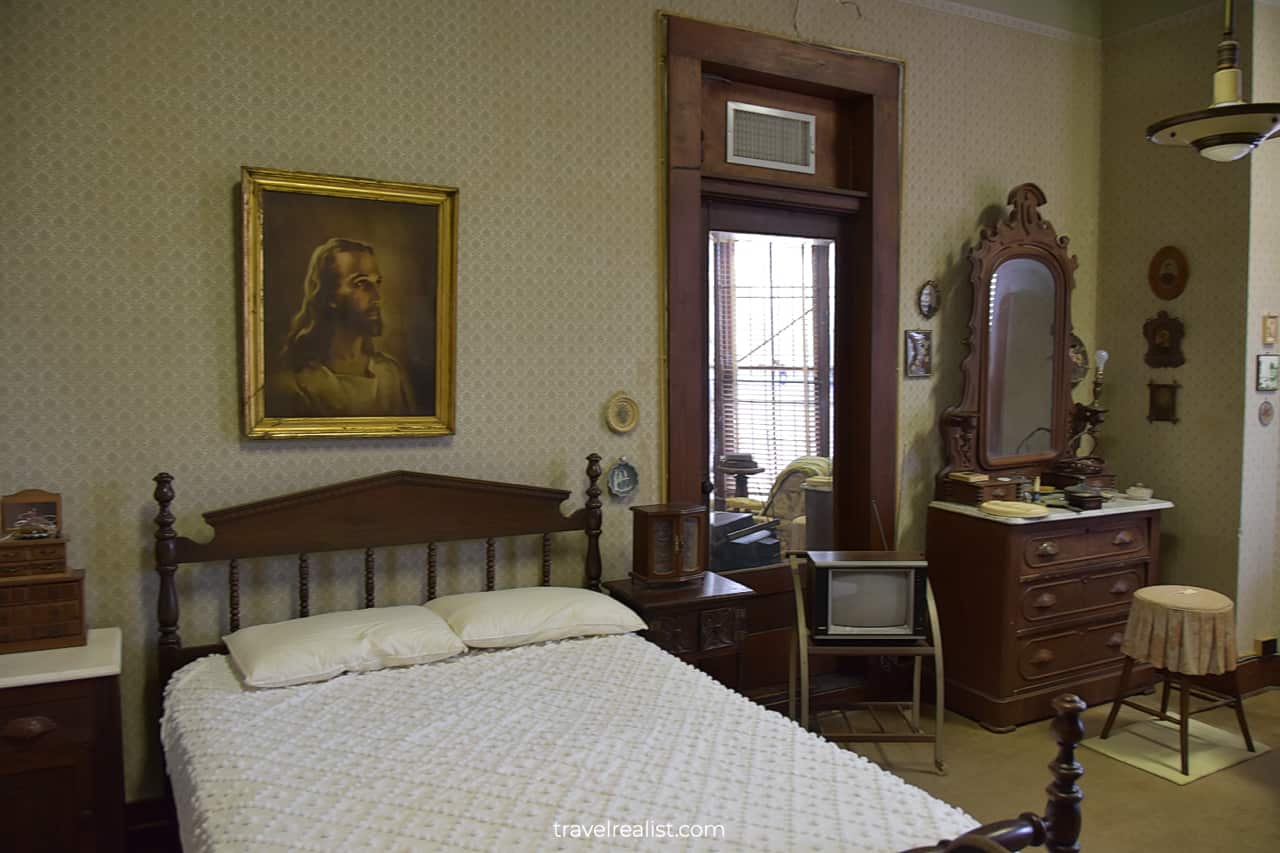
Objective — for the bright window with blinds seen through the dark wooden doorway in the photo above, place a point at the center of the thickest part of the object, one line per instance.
(771, 366)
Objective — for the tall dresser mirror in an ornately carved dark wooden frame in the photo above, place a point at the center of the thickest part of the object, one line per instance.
(1016, 413)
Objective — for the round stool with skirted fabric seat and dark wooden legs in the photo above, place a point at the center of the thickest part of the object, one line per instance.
(1183, 632)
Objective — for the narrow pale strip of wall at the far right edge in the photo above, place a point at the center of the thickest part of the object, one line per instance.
(1259, 603)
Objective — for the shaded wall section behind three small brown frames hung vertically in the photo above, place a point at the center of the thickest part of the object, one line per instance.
(1153, 198)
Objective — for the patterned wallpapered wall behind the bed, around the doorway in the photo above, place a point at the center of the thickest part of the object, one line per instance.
(126, 124)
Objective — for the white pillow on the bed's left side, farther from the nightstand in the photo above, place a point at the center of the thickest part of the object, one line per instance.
(317, 649)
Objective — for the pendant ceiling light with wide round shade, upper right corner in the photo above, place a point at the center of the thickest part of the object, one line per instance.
(1232, 127)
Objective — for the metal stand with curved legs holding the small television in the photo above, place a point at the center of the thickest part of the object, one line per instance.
(803, 647)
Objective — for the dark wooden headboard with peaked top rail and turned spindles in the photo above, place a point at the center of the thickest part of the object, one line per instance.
(394, 509)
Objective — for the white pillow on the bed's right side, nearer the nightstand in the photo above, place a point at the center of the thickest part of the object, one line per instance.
(509, 618)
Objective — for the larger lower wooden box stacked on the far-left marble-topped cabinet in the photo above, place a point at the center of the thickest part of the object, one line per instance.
(42, 612)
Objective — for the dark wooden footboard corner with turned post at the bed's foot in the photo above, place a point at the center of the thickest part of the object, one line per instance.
(1059, 829)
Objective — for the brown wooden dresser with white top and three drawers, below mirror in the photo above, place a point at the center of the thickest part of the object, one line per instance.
(1034, 609)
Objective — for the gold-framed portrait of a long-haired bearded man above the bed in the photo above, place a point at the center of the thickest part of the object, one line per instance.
(349, 313)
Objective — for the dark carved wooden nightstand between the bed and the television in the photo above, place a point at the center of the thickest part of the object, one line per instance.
(697, 622)
